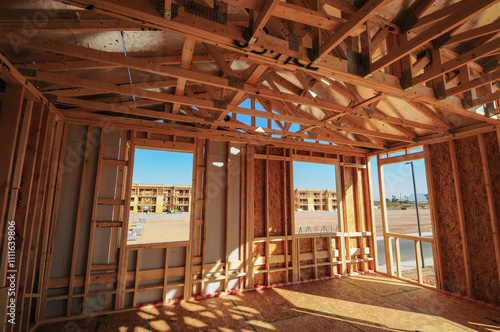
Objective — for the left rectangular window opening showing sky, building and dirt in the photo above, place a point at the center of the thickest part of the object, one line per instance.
(158, 176)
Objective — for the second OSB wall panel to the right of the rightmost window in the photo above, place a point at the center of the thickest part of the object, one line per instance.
(482, 262)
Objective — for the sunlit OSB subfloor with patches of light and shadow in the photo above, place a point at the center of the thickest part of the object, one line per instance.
(363, 303)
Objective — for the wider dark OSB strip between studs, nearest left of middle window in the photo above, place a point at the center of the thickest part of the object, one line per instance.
(275, 199)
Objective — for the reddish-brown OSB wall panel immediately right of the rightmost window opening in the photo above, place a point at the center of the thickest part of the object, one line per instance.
(448, 230)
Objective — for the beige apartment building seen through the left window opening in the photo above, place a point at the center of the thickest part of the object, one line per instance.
(159, 198)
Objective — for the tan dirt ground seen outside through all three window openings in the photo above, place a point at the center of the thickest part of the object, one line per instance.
(164, 227)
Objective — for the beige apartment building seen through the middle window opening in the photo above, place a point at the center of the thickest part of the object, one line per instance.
(315, 200)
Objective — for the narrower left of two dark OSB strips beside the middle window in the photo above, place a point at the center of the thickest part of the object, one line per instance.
(259, 198)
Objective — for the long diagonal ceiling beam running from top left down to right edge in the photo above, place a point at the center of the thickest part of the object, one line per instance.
(225, 37)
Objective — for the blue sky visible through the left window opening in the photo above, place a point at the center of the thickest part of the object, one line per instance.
(162, 167)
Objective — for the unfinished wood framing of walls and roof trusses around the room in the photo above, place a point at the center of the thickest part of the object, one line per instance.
(248, 88)
